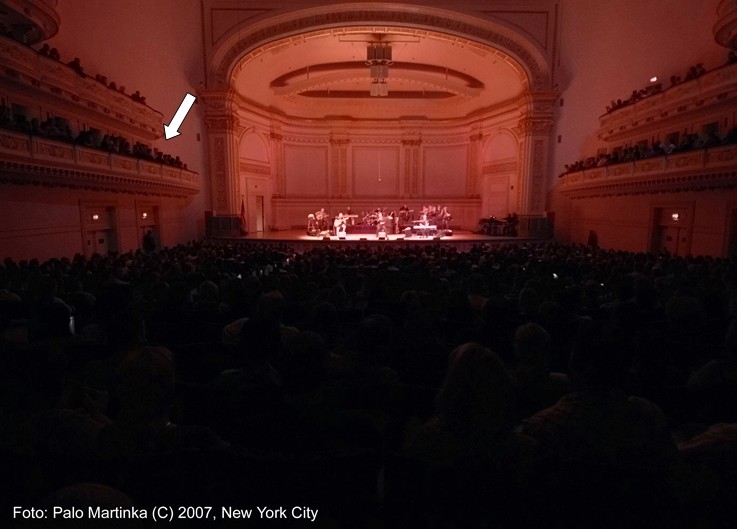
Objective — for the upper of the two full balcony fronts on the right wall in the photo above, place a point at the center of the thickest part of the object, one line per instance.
(714, 94)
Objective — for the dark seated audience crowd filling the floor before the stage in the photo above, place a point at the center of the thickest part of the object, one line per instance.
(417, 386)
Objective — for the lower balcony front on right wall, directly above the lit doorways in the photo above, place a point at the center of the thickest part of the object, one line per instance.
(714, 168)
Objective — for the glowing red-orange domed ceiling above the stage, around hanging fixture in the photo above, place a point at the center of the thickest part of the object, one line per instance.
(324, 74)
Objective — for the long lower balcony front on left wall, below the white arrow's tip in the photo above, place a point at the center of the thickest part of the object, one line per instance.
(31, 160)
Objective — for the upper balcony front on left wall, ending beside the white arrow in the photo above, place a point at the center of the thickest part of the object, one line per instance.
(27, 75)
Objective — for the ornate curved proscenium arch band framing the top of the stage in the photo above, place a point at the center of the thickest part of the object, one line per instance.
(255, 38)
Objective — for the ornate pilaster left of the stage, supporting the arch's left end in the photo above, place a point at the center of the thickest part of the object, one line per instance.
(223, 128)
